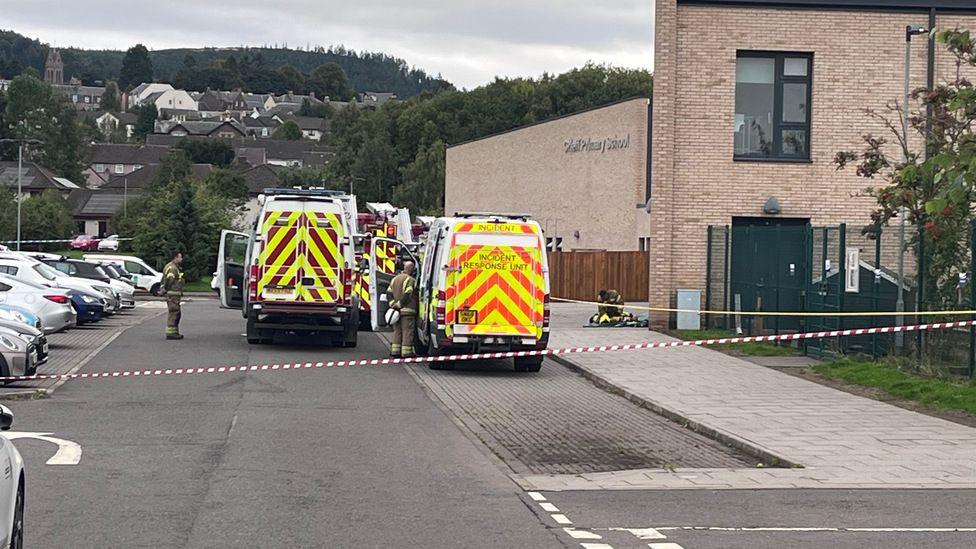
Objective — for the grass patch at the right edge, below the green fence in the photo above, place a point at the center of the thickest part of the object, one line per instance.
(941, 394)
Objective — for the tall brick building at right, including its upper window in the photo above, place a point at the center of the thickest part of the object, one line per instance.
(752, 100)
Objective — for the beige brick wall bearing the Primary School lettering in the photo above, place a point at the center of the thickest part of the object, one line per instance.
(529, 171)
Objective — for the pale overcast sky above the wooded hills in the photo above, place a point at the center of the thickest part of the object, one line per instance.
(468, 41)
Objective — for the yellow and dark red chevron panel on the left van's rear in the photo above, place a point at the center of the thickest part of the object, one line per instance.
(301, 256)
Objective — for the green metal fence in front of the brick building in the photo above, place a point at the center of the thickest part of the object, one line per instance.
(785, 268)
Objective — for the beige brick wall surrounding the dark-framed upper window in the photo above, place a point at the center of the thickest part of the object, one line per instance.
(858, 64)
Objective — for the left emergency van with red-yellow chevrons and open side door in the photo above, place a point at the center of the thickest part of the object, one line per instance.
(294, 271)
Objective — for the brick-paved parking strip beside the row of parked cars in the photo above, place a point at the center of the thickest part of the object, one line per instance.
(72, 349)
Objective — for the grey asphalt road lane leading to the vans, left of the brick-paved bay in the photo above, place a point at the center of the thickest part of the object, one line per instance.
(354, 457)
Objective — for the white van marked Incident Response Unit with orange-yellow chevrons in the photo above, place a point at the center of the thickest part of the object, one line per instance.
(483, 284)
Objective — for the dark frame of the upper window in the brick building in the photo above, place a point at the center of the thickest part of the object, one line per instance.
(779, 80)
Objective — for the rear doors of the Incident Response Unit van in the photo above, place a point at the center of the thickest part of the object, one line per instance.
(496, 283)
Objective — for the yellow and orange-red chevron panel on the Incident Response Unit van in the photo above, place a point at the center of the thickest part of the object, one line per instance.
(503, 285)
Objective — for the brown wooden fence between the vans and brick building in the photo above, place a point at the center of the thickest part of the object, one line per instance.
(581, 275)
